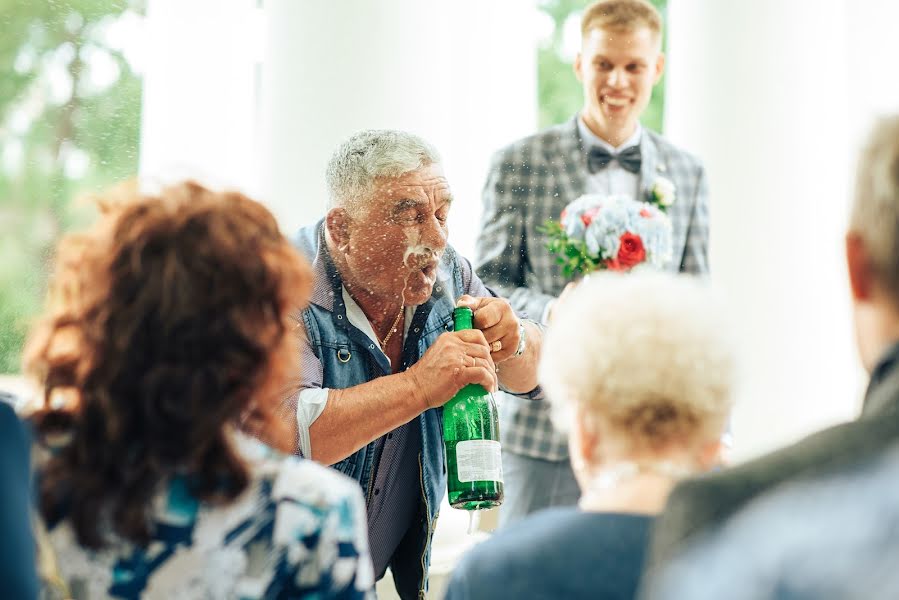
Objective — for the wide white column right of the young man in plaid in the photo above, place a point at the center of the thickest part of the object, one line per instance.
(759, 91)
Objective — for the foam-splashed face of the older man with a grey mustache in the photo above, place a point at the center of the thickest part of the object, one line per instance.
(392, 246)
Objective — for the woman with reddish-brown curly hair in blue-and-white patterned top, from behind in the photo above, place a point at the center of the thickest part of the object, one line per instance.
(168, 331)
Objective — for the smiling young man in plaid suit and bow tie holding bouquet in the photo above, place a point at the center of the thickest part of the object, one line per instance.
(602, 150)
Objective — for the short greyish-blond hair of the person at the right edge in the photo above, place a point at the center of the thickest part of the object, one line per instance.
(875, 209)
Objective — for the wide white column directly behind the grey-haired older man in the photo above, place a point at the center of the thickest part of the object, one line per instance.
(461, 74)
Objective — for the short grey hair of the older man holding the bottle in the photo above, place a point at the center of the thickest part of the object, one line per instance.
(371, 154)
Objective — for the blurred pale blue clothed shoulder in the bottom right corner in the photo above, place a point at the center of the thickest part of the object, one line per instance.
(820, 538)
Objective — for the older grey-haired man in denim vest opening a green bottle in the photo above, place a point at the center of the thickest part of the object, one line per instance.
(379, 358)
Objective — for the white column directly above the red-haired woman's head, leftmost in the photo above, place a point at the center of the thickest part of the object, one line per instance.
(199, 92)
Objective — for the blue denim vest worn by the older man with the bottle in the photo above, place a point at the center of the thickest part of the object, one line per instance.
(350, 358)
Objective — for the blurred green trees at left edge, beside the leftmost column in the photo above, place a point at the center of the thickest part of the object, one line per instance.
(69, 123)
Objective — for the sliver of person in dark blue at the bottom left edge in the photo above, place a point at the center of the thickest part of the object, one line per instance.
(17, 574)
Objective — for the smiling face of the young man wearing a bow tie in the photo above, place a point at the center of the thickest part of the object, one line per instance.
(618, 69)
